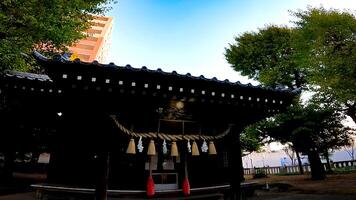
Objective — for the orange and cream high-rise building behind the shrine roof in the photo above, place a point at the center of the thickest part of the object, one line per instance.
(96, 45)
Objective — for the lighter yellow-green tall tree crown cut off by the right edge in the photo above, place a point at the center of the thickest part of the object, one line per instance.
(325, 42)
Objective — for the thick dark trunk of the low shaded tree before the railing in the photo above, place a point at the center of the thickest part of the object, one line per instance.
(317, 168)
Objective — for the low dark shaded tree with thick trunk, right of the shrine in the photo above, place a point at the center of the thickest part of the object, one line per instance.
(312, 130)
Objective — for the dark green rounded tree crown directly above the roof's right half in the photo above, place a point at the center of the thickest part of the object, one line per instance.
(267, 56)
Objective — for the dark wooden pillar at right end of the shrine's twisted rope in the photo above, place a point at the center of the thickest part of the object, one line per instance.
(235, 163)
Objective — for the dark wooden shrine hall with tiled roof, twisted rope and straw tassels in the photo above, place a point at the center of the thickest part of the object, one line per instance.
(131, 133)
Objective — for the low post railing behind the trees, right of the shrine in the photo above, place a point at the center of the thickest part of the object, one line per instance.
(294, 169)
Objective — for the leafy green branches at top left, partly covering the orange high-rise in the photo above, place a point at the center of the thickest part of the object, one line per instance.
(48, 26)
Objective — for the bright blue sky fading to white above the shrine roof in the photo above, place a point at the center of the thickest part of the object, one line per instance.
(190, 35)
